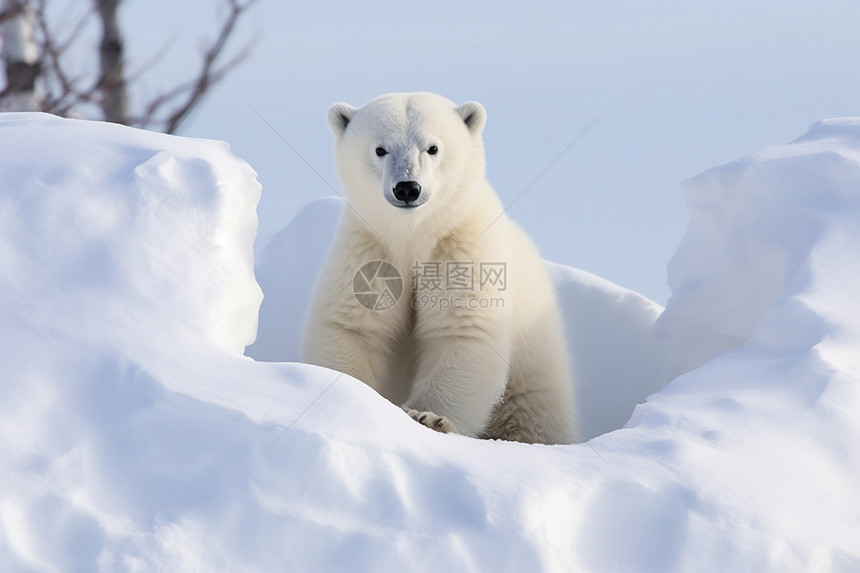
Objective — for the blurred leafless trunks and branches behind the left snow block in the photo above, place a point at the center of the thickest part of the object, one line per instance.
(64, 88)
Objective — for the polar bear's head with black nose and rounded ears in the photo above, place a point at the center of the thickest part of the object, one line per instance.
(404, 151)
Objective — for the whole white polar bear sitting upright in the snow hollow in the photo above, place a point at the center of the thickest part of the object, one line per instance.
(431, 295)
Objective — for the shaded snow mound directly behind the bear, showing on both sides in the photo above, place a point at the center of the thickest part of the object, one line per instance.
(602, 320)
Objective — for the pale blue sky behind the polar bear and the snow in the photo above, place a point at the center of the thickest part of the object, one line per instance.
(685, 85)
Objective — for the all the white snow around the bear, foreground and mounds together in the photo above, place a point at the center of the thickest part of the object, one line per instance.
(136, 436)
